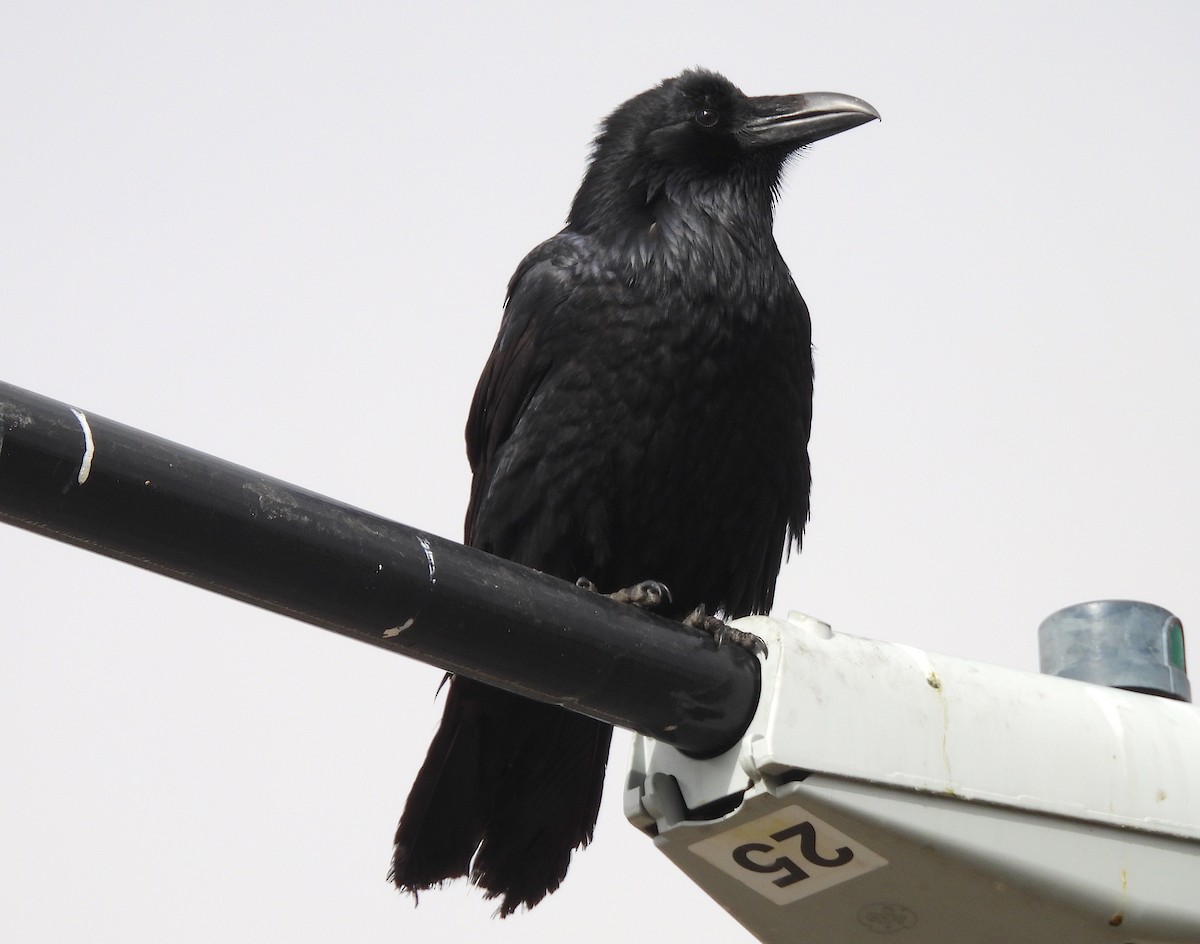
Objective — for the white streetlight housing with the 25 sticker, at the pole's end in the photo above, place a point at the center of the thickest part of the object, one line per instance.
(889, 795)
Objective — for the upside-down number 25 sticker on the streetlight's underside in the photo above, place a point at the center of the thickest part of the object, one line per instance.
(789, 855)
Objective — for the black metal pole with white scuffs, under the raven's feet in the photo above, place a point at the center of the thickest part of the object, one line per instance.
(97, 484)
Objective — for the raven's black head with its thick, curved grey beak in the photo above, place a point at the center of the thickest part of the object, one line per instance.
(695, 135)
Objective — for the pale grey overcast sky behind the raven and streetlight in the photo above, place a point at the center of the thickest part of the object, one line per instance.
(280, 233)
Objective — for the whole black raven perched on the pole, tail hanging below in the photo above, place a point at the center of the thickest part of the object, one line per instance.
(645, 414)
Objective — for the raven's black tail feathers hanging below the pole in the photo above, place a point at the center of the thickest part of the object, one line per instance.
(517, 780)
